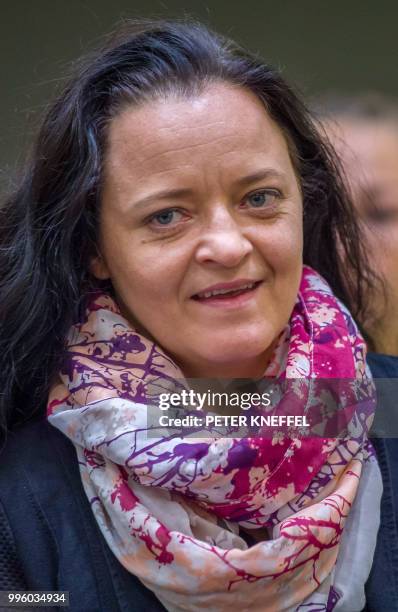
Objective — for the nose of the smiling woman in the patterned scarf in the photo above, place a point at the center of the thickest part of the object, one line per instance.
(223, 240)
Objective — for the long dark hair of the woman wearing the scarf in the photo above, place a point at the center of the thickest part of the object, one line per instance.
(48, 227)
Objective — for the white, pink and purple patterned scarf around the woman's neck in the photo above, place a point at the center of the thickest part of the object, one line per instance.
(171, 508)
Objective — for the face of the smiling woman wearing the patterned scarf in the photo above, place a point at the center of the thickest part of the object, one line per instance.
(201, 228)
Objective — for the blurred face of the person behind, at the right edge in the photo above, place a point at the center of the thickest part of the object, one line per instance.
(369, 153)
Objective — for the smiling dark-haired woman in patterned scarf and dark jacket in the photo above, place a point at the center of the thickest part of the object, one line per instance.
(176, 190)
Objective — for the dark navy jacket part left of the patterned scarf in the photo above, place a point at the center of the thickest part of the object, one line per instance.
(53, 532)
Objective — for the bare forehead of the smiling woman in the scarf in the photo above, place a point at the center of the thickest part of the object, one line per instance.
(222, 125)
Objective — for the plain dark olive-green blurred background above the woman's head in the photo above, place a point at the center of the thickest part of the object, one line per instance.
(348, 47)
